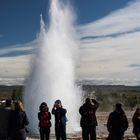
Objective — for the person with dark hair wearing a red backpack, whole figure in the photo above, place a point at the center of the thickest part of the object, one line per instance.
(44, 117)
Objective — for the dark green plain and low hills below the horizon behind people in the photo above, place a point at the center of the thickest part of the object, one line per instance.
(107, 95)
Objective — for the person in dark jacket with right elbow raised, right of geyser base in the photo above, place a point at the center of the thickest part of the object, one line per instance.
(88, 120)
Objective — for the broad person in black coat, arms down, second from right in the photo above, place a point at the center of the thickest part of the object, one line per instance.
(117, 123)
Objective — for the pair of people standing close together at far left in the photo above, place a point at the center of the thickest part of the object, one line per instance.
(13, 121)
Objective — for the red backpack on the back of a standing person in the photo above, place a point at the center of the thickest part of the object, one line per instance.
(44, 120)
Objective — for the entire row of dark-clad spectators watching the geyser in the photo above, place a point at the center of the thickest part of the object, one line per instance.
(13, 121)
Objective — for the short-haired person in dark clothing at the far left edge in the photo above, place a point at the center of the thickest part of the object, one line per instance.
(5, 114)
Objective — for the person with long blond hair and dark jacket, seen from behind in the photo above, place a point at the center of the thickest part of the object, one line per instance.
(18, 122)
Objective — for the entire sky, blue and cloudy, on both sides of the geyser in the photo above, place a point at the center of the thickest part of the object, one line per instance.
(109, 31)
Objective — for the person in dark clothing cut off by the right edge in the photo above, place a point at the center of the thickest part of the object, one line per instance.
(136, 123)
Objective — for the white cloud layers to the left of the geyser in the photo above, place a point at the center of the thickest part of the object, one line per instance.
(17, 66)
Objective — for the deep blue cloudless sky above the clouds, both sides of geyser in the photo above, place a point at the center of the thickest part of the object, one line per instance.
(20, 19)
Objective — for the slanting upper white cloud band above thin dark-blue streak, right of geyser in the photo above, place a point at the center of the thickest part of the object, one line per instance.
(120, 21)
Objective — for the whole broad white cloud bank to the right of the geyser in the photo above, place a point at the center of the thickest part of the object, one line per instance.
(112, 46)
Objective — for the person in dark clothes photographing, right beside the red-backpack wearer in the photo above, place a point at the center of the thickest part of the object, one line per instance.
(60, 120)
